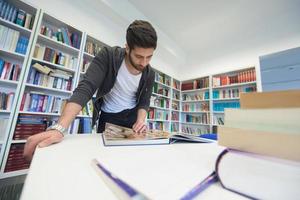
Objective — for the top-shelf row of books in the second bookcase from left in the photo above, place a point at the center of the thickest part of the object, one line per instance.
(61, 35)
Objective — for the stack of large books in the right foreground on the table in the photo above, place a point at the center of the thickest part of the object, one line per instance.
(263, 141)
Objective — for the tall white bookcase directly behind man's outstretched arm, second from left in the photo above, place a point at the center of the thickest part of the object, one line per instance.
(49, 77)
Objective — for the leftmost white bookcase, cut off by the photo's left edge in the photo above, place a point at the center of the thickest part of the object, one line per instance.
(18, 21)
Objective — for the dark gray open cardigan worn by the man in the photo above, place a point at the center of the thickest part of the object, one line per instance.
(102, 74)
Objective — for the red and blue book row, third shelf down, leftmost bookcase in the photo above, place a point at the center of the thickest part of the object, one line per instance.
(9, 71)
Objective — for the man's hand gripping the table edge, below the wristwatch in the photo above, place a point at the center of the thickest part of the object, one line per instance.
(42, 139)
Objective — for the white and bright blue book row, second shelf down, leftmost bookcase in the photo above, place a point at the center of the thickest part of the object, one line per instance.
(12, 40)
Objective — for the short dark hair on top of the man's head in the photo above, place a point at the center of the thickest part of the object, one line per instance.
(141, 34)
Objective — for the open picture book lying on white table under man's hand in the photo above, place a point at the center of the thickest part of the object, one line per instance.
(121, 136)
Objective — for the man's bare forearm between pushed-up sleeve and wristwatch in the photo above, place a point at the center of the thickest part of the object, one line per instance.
(69, 113)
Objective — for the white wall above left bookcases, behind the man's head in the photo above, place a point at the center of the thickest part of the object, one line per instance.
(108, 21)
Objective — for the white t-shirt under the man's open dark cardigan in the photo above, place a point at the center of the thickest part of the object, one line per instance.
(123, 94)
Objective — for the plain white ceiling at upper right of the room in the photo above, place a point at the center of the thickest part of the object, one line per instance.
(212, 29)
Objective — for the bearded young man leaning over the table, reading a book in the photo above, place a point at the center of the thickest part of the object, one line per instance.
(123, 79)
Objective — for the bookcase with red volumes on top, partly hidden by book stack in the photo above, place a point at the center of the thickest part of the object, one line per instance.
(226, 89)
